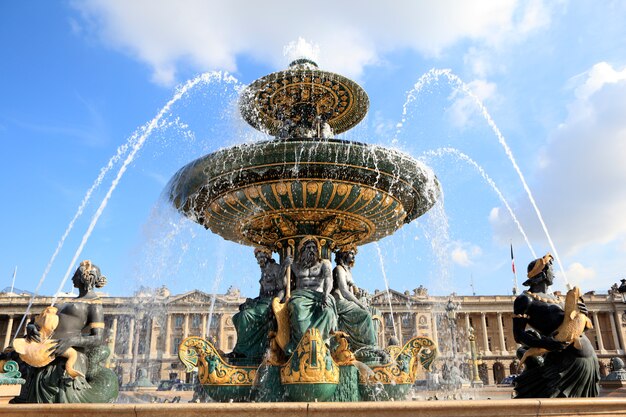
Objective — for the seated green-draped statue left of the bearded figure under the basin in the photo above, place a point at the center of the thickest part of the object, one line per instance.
(255, 320)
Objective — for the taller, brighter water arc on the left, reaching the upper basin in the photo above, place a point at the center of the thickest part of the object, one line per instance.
(147, 130)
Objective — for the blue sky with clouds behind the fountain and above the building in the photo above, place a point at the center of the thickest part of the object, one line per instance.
(79, 78)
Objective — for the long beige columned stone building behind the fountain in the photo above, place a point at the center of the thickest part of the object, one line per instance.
(146, 329)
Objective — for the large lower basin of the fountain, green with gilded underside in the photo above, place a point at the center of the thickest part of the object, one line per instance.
(262, 194)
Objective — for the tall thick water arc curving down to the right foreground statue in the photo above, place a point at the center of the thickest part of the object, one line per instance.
(435, 74)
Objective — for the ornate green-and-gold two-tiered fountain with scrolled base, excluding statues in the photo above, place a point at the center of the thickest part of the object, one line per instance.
(305, 184)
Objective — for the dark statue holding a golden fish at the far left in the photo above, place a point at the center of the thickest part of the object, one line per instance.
(76, 335)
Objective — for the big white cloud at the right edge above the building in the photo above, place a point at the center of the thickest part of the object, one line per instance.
(580, 183)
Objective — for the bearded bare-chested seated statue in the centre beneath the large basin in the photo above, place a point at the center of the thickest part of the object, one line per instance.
(311, 304)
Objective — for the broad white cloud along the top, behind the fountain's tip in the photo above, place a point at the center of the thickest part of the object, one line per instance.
(350, 34)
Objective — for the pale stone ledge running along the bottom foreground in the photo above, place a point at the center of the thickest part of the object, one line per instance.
(482, 408)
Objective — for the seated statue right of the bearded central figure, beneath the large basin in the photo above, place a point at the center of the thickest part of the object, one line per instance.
(354, 317)
